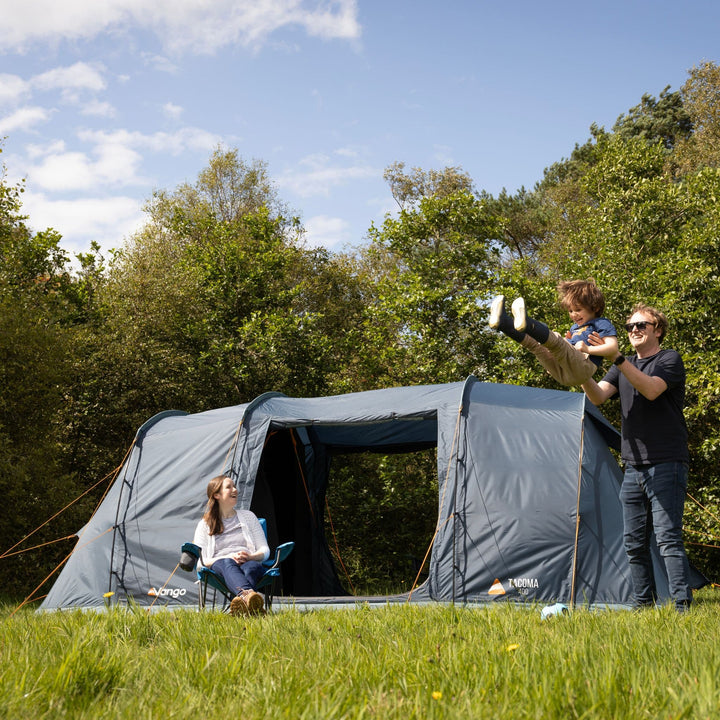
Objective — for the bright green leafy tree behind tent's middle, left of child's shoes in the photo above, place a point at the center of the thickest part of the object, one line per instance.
(426, 271)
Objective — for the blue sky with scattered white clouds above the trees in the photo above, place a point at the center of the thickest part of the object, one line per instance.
(103, 102)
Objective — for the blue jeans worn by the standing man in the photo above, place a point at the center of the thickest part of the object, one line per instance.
(653, 498)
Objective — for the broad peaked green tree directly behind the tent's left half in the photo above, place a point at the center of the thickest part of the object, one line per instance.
(212, 303)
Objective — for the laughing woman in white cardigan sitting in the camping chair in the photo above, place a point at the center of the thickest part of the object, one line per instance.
(233, 544)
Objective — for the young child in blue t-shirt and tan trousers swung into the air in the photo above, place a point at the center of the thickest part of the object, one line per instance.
(570, 361)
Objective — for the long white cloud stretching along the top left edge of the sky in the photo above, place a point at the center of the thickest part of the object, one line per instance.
(182, 25)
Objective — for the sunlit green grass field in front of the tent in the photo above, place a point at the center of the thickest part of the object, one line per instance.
(494, 662)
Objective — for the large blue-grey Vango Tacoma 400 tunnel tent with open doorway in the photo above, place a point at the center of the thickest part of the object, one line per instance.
(528, 506)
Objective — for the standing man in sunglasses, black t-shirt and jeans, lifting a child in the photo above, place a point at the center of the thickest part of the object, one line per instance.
(651, 386)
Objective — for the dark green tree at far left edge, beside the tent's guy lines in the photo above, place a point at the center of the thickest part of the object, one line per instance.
(37, 308)
